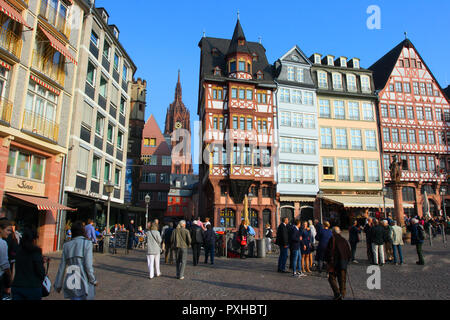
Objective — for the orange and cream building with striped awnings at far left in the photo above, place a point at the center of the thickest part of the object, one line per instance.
(39, 45)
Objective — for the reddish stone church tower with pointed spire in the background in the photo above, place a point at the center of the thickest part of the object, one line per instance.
(178, 131)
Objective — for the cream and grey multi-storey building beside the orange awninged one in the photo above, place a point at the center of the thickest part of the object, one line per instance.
(100, 122)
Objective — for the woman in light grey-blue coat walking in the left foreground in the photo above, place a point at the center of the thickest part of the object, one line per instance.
(77, 260)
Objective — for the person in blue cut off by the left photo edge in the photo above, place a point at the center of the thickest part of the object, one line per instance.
(5, 271)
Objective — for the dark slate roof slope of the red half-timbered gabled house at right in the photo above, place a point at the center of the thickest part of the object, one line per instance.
(383, 68)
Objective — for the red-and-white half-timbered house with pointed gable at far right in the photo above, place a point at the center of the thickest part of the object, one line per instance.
(414, 118)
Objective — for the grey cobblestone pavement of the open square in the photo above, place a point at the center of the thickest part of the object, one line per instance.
(126, 277)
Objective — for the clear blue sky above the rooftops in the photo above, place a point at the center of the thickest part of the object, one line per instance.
(162, 36)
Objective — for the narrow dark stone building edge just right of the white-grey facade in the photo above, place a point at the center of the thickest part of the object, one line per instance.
(135, 129)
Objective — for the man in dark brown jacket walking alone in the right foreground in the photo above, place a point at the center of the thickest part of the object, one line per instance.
(337, 256)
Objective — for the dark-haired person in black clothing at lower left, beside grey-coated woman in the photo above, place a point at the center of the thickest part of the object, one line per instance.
(30, 271)
